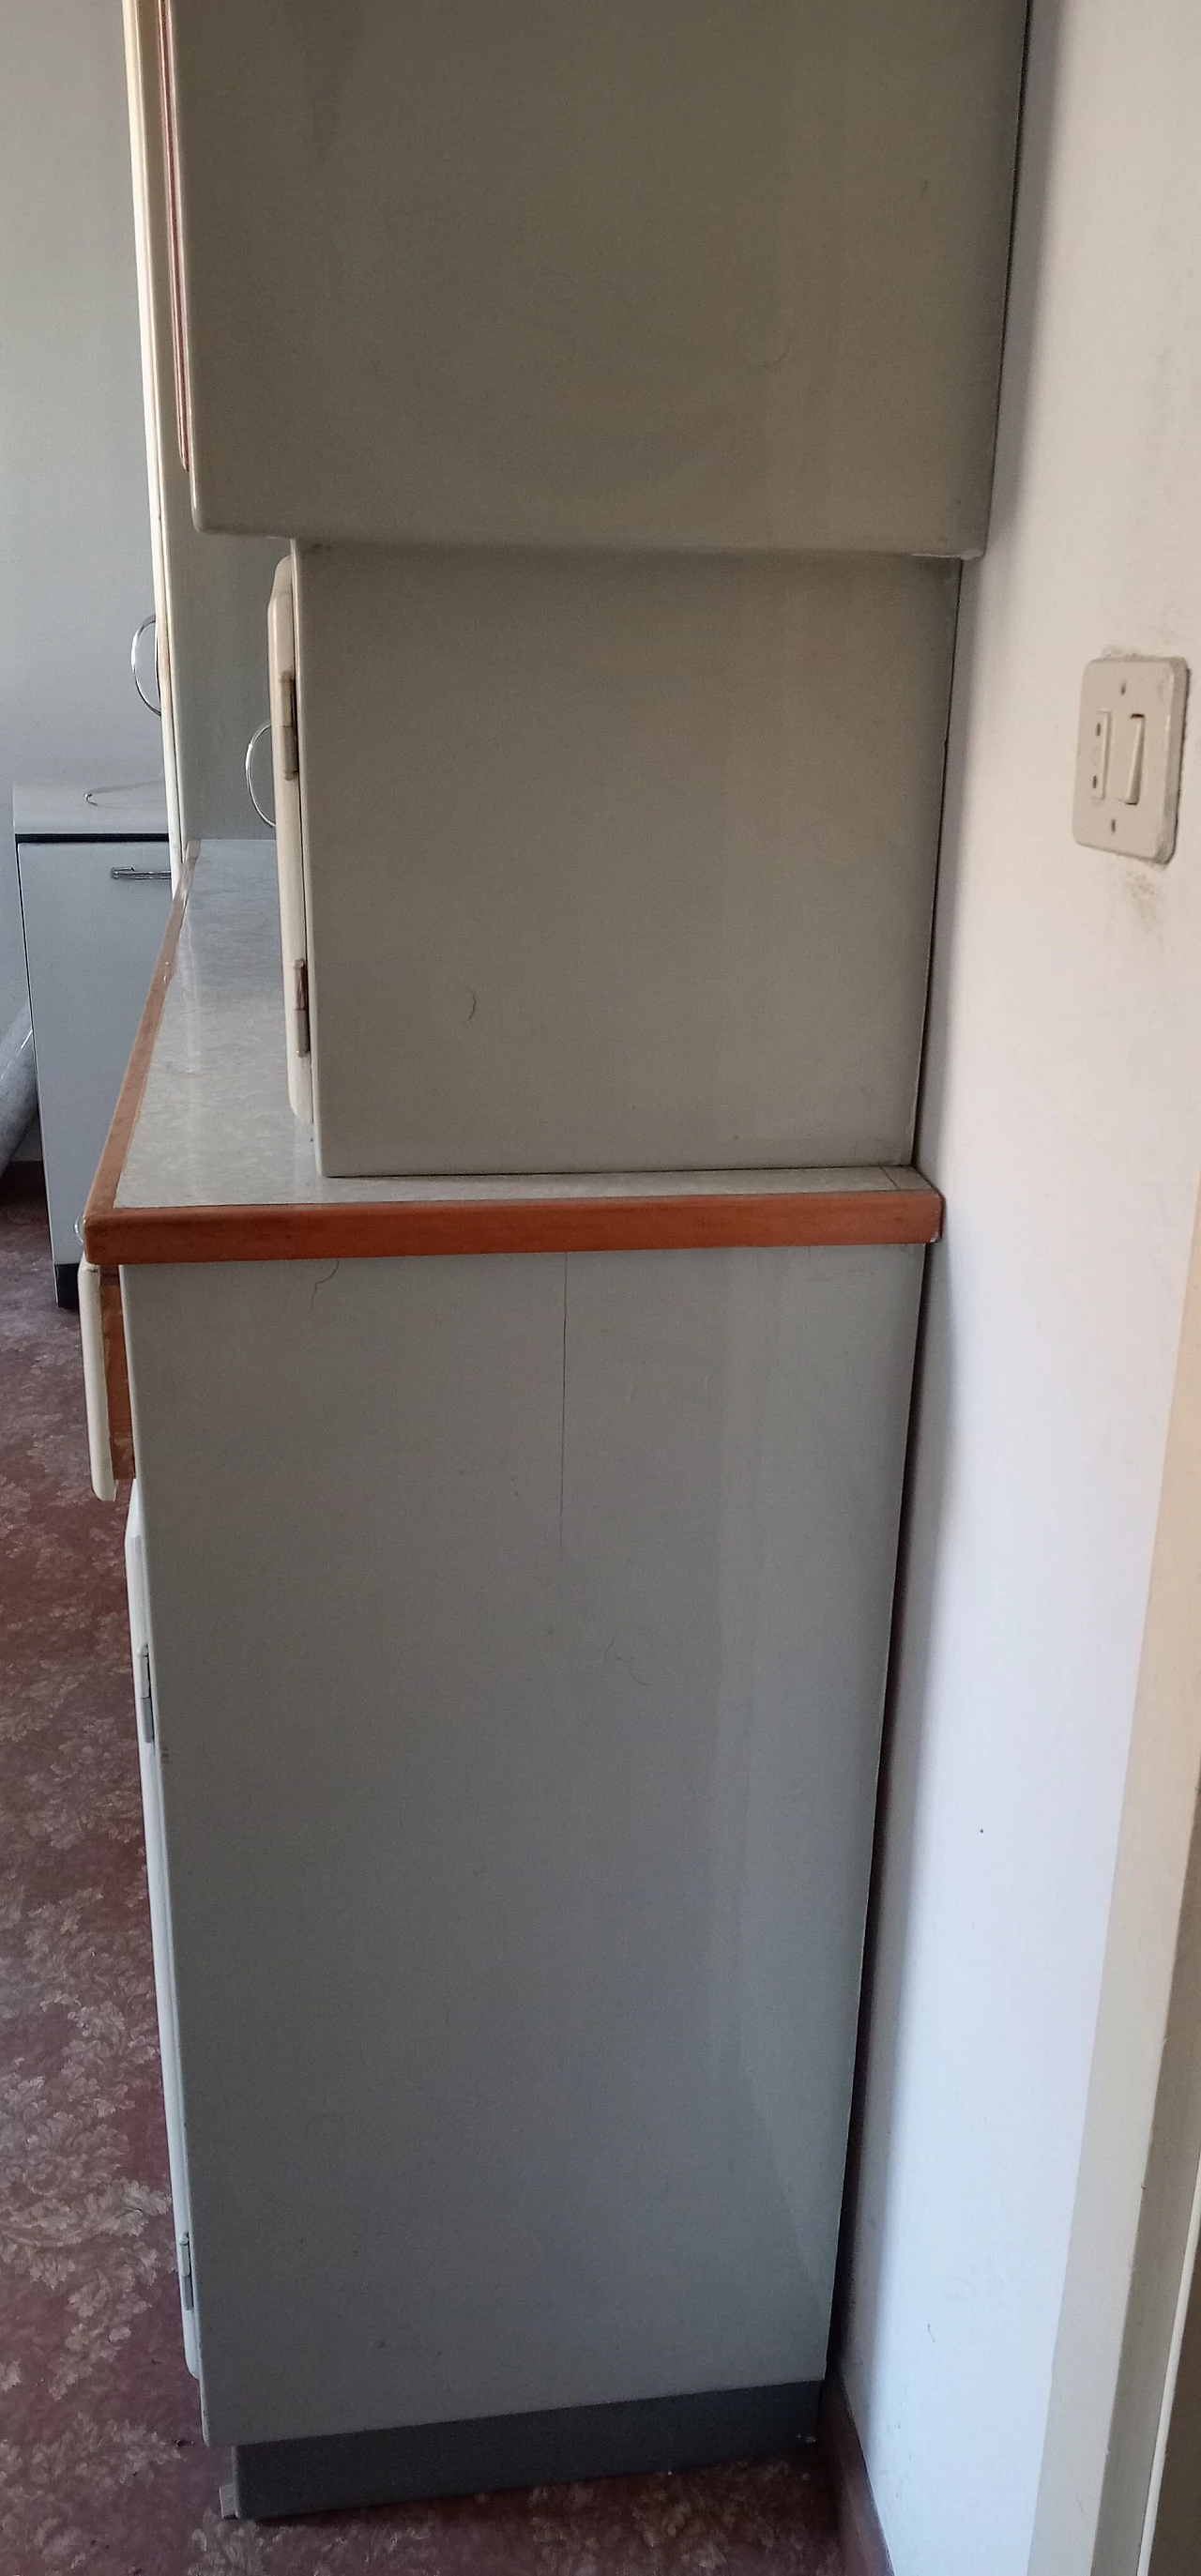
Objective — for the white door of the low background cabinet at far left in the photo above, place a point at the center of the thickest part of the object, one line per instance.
(94, 929)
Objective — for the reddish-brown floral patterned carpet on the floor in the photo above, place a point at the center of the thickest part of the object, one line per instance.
(102, 2461)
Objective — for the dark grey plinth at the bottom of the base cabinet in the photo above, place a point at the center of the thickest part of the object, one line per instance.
(336, 2472)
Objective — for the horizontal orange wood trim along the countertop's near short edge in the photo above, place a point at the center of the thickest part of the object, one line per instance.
(388, 1230)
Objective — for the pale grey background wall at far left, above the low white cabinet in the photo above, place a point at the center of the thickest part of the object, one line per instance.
(73, 460)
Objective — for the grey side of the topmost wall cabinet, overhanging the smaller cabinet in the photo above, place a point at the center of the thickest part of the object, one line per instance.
(646, 274)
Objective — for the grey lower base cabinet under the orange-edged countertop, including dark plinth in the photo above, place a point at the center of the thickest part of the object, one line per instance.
(517, 1650)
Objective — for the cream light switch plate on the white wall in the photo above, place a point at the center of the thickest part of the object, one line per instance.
(1128, 764)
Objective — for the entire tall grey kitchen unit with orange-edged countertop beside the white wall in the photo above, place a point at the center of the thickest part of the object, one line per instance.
(519, 1444)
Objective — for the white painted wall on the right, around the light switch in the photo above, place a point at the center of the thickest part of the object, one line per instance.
(1063, 1119)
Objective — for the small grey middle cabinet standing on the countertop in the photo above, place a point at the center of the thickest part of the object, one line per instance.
(610, 864)
